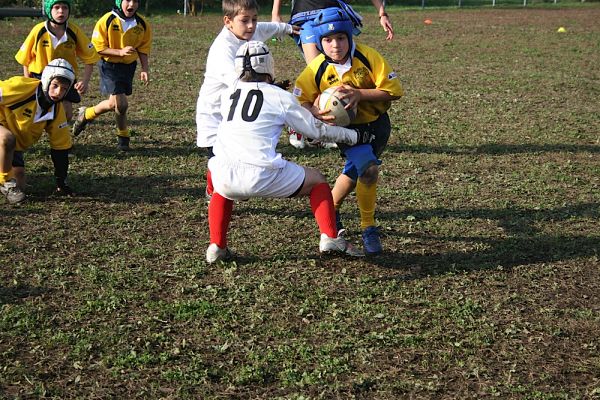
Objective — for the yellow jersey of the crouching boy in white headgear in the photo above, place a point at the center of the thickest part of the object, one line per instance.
(21, 114)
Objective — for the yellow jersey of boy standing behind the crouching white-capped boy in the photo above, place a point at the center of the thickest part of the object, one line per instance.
(38, 49)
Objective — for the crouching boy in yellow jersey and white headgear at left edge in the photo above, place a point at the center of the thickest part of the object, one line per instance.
(28, 107)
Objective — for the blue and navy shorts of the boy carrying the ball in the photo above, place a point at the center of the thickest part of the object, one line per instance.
(360, 157)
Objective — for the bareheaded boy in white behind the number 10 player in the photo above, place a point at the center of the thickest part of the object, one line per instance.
(240, 26)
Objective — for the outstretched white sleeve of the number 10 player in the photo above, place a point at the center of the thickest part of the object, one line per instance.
(301, 120)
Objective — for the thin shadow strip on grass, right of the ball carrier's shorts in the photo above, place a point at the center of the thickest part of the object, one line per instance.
(494, 149)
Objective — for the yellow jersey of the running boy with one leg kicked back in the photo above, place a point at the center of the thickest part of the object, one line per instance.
(115, 33)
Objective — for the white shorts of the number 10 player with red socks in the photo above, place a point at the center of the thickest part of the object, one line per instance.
(238, 181)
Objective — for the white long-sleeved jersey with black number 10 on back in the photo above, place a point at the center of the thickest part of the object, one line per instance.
(254, 115)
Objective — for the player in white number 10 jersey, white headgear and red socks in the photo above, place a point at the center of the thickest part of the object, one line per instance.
(245, 162)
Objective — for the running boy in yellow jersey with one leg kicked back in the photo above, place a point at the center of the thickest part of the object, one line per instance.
(121, 36)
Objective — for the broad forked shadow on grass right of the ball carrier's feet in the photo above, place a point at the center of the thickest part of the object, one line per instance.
(524, 246)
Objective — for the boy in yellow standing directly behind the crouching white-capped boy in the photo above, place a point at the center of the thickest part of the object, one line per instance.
(58, 38)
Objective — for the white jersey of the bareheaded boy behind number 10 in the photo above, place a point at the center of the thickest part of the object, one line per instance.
(220, 73)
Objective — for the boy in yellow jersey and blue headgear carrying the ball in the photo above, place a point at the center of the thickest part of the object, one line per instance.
(368, 83)
